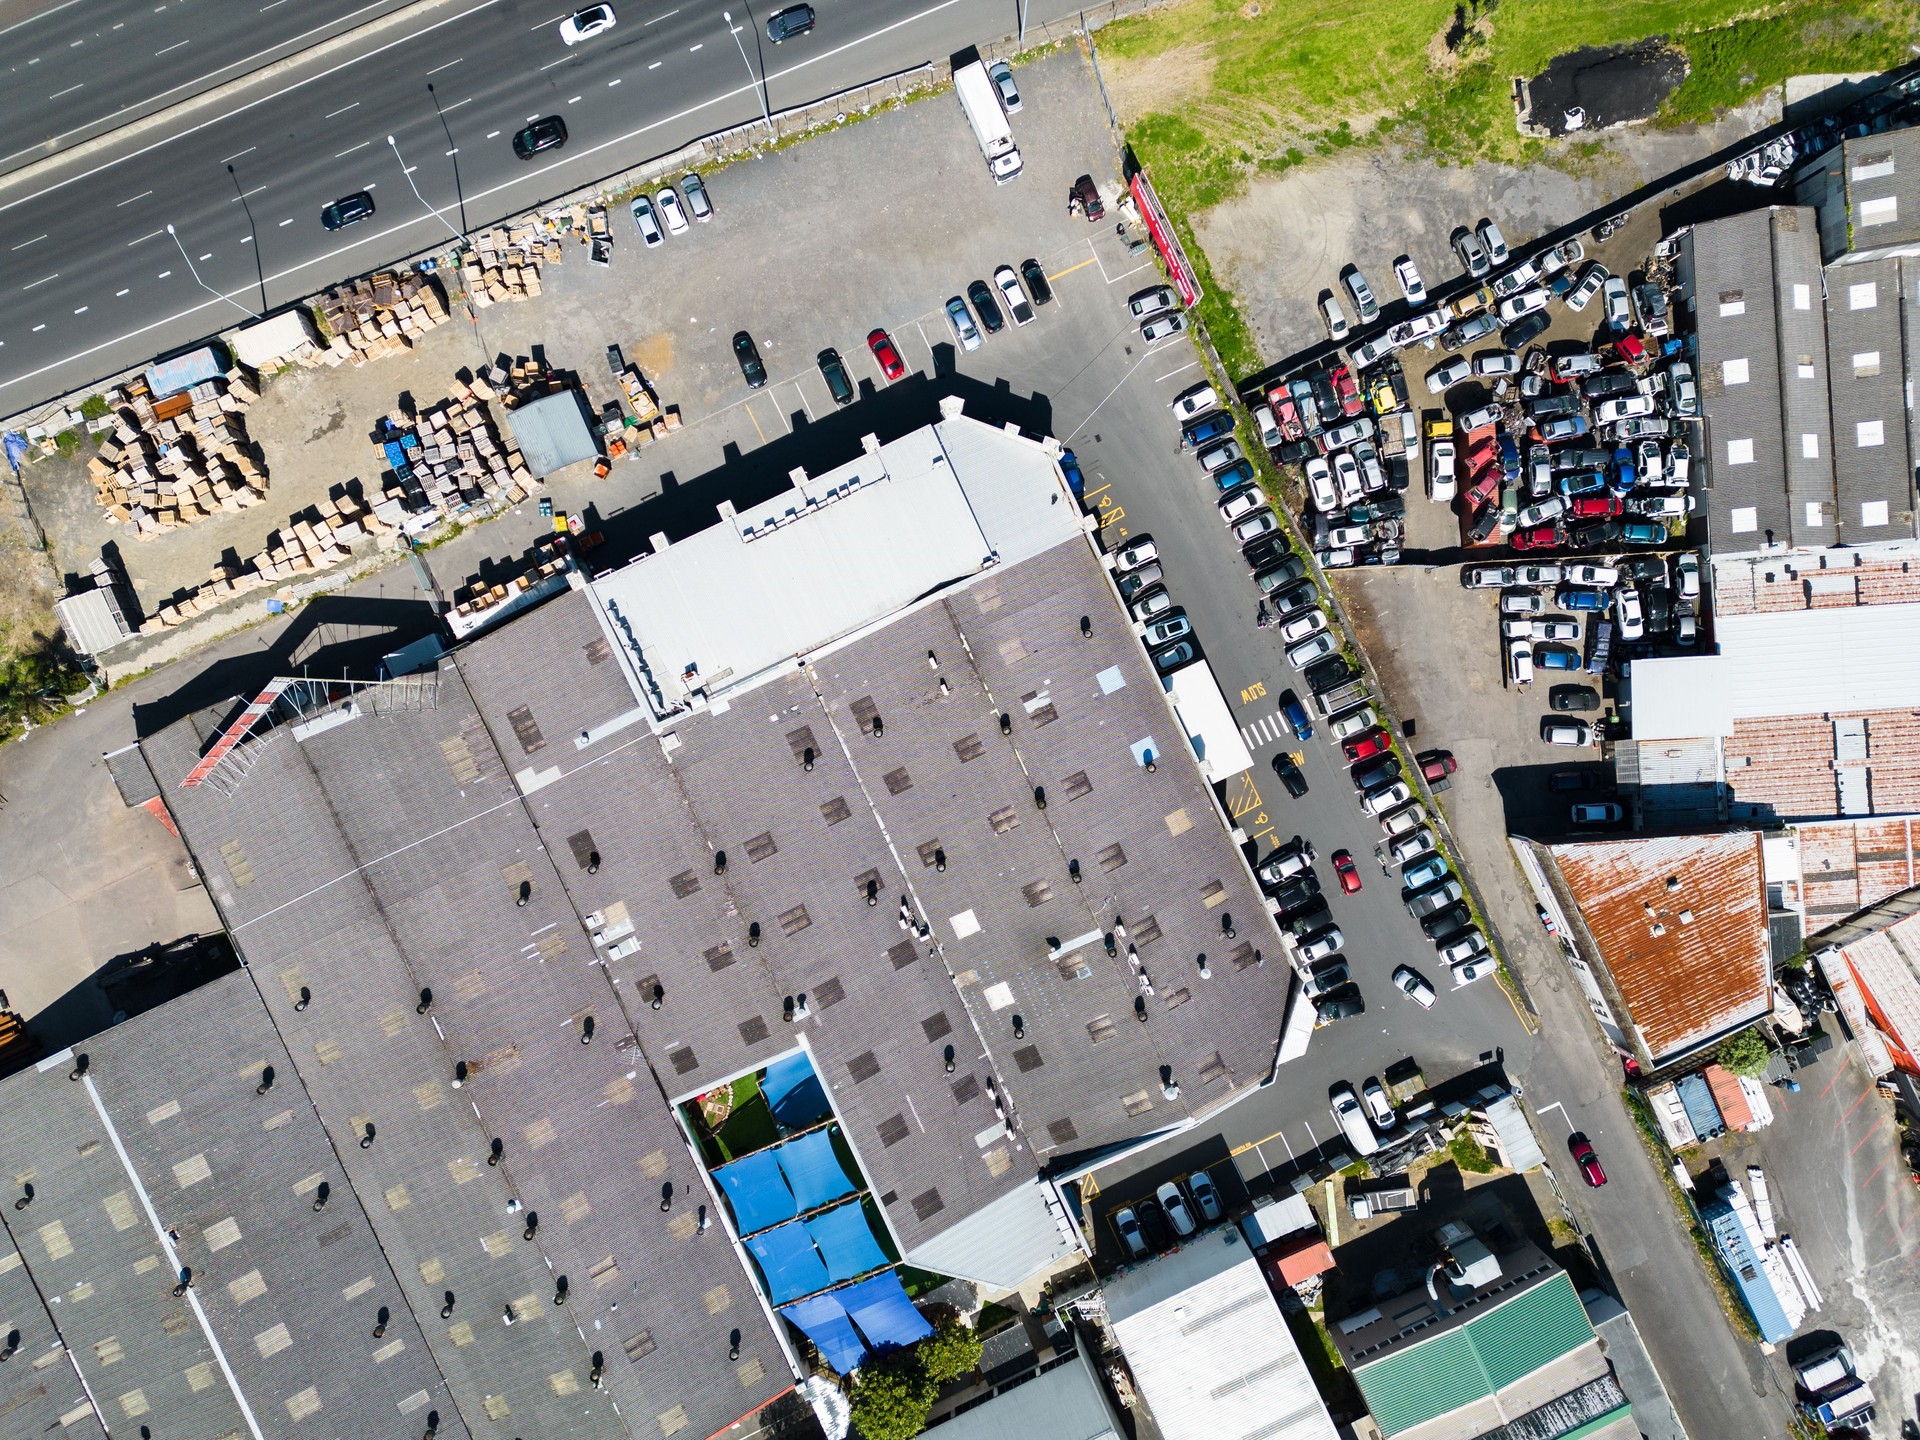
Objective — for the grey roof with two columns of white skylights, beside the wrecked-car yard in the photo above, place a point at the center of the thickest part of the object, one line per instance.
(1762, 345)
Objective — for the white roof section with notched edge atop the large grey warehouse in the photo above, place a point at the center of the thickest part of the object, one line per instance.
(750, 596)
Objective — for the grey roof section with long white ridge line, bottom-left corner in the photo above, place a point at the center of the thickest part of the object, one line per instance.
(166, 1136)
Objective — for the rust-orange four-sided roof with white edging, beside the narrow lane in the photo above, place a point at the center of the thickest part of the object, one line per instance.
(1683, 980)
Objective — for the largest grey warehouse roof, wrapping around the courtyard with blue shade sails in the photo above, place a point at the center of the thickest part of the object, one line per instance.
(492, 846)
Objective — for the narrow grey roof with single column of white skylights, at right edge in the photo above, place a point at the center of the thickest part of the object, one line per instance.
(1867, 322)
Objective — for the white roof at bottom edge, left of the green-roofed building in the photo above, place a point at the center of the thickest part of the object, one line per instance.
(1211, 1349)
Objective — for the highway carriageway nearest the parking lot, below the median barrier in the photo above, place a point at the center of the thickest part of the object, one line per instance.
(93, 279)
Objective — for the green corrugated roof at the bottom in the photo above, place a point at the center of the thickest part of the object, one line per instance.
(1420, 1381)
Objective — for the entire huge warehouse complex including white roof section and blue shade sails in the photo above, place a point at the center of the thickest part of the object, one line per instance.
(865, 802)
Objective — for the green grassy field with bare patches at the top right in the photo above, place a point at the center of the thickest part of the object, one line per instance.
(1214, 93)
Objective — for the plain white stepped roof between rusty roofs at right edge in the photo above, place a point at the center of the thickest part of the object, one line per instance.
(1836, 661)
